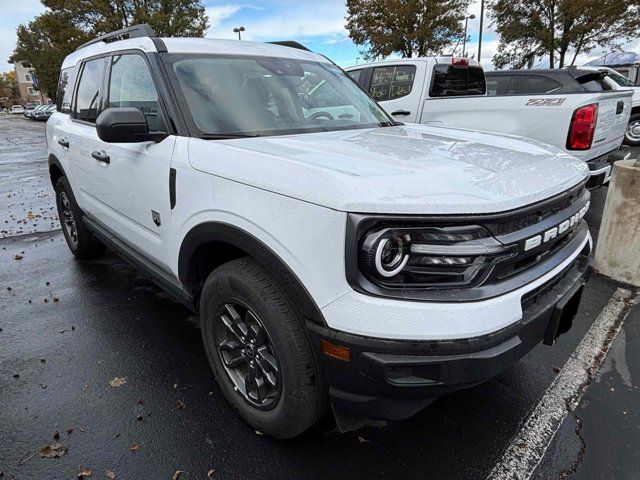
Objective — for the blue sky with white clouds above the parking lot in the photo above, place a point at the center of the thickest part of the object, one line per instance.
(317, 24)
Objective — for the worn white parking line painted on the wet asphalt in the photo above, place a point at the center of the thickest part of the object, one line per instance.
(563, 395)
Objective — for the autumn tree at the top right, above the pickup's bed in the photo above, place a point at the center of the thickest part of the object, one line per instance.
(556, 28)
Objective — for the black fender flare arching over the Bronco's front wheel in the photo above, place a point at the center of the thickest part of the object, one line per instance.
(222, 233)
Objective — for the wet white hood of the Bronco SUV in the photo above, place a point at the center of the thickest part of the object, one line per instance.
(409, 169)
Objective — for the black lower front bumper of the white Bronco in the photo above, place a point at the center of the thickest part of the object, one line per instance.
(394, 379)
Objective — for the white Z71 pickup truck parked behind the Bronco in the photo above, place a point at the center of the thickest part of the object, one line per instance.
(571, 109)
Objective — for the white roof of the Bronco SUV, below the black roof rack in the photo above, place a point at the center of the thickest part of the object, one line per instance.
(194, 45)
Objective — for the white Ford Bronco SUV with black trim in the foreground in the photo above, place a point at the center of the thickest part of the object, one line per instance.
(335, 257)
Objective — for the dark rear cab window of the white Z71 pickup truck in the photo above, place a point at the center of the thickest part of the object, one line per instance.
(457, 80)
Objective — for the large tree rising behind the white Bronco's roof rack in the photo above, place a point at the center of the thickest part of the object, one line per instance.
(66, 24)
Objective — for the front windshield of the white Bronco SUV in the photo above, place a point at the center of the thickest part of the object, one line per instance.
(255, 96)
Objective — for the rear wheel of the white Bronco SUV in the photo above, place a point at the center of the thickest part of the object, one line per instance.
(80, 240)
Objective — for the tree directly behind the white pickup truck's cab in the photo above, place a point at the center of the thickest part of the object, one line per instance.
(408, 27)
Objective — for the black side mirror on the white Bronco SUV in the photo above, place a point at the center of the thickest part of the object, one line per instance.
(125, 125)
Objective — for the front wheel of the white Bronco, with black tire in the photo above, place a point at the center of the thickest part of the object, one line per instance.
(259, 351)
